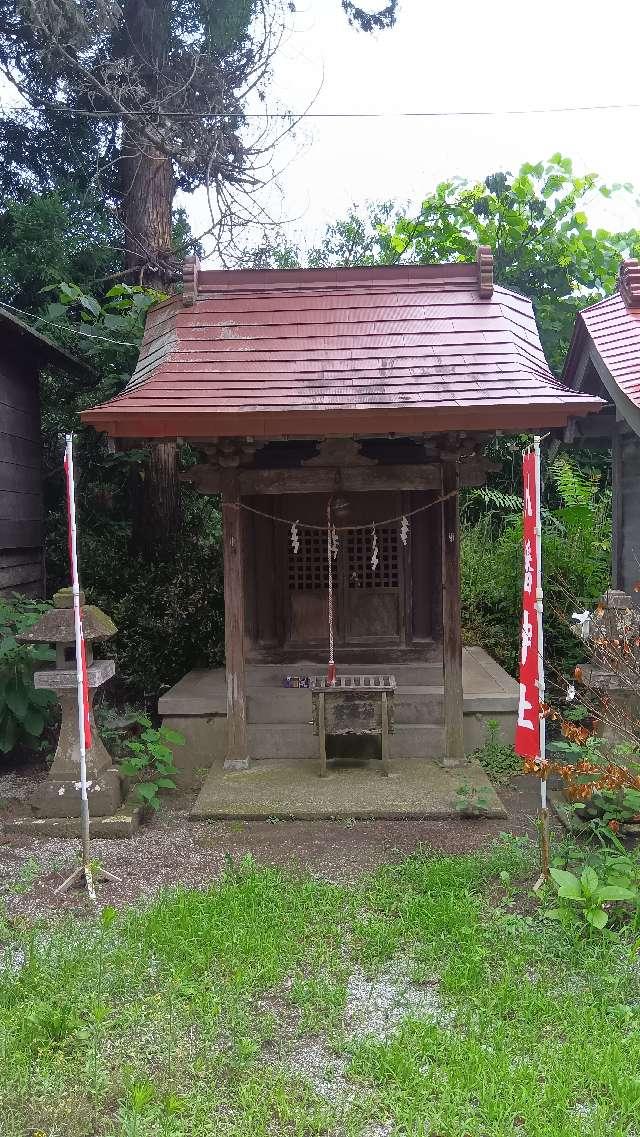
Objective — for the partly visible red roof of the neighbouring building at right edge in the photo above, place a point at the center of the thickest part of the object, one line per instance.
(609, 334)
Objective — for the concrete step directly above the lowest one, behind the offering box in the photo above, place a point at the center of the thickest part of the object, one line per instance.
(284, 706)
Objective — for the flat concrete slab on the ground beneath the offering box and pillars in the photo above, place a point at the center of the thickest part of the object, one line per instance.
(292, 790)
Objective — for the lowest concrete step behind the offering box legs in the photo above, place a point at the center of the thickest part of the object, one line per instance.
(297, 741)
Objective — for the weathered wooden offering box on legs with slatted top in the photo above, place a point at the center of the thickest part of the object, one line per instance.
(355, 706)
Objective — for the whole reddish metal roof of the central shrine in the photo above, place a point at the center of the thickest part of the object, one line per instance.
(340, 352)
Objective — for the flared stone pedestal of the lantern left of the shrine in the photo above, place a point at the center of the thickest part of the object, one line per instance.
(60, 795)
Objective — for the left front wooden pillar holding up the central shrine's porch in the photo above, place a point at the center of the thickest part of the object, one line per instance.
(237, 757)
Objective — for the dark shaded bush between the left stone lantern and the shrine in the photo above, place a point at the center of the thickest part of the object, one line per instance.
(170, 613)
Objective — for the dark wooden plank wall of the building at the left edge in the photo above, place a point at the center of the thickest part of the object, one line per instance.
(21, 476)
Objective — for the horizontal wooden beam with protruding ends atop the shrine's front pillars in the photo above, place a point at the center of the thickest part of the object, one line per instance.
(209, 479)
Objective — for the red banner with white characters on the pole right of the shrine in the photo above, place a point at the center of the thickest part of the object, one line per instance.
(528, 729)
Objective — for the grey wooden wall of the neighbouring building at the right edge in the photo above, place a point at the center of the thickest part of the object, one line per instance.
(627, 512)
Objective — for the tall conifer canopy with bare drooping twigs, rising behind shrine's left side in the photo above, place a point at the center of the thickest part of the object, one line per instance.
(143, 98)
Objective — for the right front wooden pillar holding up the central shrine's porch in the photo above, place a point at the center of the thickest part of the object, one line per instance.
(452, 624)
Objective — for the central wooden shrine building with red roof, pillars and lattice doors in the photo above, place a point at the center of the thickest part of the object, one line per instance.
(372, 388)
